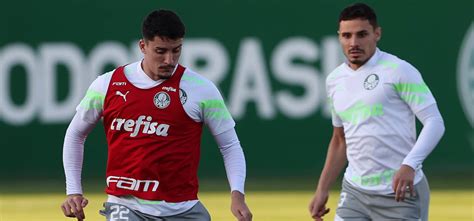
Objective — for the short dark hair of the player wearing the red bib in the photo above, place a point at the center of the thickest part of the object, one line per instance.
(162, 23)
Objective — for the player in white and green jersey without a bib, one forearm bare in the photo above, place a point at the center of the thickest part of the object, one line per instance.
(375, 97)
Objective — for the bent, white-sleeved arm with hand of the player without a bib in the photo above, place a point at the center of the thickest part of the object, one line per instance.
(415, 93)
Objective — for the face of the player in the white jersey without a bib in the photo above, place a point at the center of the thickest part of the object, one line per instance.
(358, 39)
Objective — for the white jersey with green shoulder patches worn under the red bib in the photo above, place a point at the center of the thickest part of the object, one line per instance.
(201, 100)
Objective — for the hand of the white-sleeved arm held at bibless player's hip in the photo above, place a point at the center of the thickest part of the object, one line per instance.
(403, 182)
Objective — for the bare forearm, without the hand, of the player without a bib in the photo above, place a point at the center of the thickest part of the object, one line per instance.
(335, 162)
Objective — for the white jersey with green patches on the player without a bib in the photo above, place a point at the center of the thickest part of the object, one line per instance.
(376, 104)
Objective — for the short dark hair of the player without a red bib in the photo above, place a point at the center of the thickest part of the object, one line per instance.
(359, 11)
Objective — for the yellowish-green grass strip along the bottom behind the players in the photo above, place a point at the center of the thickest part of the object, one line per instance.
(457, 205)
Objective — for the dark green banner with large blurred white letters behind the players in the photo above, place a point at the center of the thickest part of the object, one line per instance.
(269, 59)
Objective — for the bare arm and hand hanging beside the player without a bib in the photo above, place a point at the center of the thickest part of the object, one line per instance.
(335, 161)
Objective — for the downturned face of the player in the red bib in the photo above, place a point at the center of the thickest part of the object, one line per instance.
(161, 56)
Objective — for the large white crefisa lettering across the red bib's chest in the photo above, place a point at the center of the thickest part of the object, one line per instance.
(143, 124)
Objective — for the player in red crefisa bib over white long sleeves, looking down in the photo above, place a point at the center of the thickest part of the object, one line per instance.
(153, 112)
